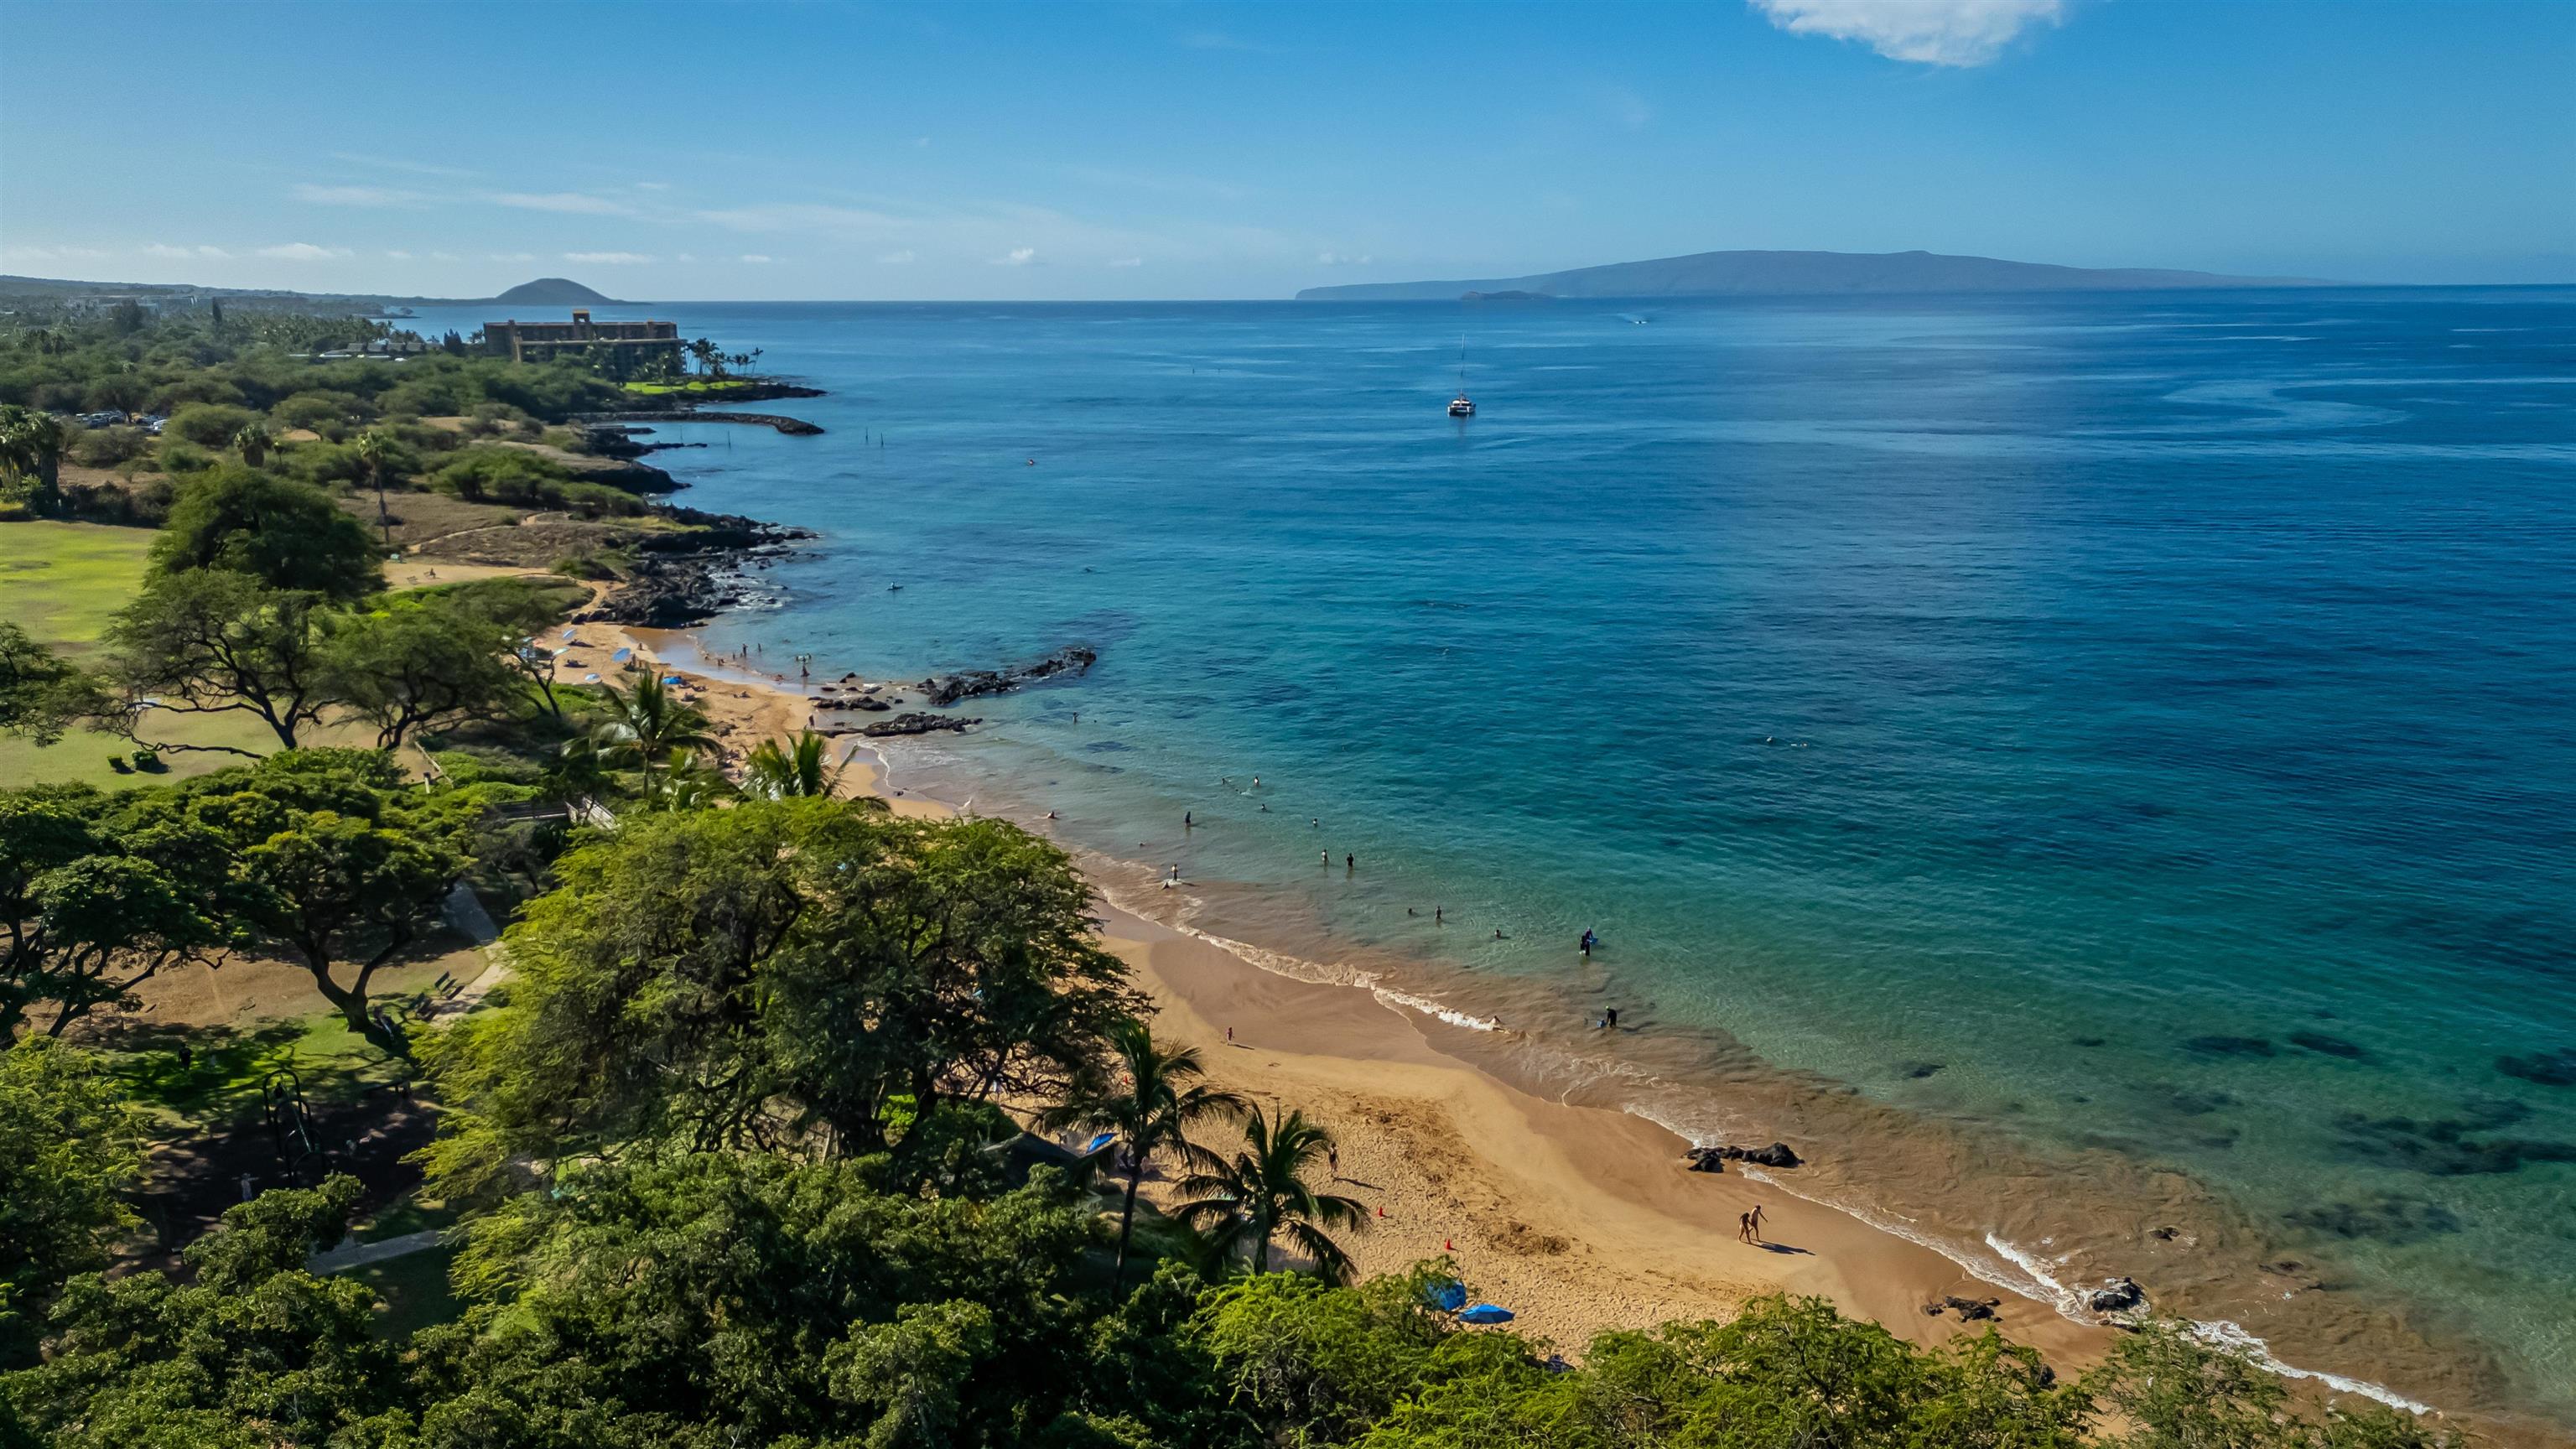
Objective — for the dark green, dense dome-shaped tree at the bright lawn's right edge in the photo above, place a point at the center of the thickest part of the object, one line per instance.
(279, 532)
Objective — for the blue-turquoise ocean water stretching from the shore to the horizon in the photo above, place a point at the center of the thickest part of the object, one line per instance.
(2132, 734)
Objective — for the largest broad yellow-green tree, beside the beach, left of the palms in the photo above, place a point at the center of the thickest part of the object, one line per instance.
(805, 968)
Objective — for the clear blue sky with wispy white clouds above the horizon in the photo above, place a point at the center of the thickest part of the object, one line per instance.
(1248, 151)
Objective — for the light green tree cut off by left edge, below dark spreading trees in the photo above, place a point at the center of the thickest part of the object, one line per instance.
(71, 1151)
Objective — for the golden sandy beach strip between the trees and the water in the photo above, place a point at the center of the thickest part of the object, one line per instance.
(1578, 1218)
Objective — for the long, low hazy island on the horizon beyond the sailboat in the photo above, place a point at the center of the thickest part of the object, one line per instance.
(1794, 275)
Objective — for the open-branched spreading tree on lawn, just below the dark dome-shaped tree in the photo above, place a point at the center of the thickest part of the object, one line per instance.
(220, 643)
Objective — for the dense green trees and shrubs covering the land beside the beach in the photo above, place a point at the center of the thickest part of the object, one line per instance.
(738, 1146)
